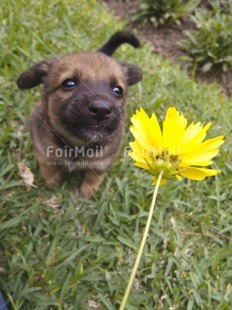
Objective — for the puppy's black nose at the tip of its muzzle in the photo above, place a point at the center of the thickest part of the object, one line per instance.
(100, 110)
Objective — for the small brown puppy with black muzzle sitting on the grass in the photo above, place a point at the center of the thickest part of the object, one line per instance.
(79, 120)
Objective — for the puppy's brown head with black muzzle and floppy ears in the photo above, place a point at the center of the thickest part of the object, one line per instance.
(84, 93)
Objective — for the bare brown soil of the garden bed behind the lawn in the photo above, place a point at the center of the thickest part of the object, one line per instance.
(166, 39)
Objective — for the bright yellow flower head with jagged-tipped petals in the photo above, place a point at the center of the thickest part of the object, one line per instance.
(177, 150)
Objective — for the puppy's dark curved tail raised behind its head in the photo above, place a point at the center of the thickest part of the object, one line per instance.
(116, 40)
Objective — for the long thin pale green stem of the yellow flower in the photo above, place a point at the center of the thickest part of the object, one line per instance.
(140, 252)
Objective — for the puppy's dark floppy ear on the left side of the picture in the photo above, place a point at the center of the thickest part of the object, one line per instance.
(34, 75)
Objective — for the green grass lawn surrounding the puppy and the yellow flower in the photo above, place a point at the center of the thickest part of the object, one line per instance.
(79, 254)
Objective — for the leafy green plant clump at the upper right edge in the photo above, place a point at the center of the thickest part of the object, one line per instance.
(210, 46)
